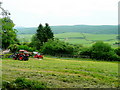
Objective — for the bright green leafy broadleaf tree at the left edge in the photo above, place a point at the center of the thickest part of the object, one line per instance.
(8, 33)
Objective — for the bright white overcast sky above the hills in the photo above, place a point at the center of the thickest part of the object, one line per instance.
(30, 13)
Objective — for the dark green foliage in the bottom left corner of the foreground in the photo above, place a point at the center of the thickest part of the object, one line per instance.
(22, 83)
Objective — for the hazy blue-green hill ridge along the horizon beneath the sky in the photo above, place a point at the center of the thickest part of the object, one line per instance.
(93, 29)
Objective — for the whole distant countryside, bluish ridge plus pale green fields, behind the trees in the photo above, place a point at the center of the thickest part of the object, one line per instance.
(76, 34)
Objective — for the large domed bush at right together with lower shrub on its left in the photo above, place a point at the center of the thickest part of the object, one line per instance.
(100, 51)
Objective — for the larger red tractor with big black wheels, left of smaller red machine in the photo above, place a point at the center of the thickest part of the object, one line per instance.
(22, 55)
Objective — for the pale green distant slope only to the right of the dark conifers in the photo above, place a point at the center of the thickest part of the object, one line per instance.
(108, 38)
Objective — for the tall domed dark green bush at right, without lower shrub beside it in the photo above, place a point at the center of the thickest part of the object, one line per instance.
(103, 51)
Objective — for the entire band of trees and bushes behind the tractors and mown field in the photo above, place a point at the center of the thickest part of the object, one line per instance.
(43, 41)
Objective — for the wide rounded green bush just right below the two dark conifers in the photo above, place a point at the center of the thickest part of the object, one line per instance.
(56, 46)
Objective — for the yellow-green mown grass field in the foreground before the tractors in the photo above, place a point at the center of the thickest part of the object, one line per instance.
(63, 73)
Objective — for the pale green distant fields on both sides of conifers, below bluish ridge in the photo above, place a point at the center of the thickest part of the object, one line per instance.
(77, 38)
